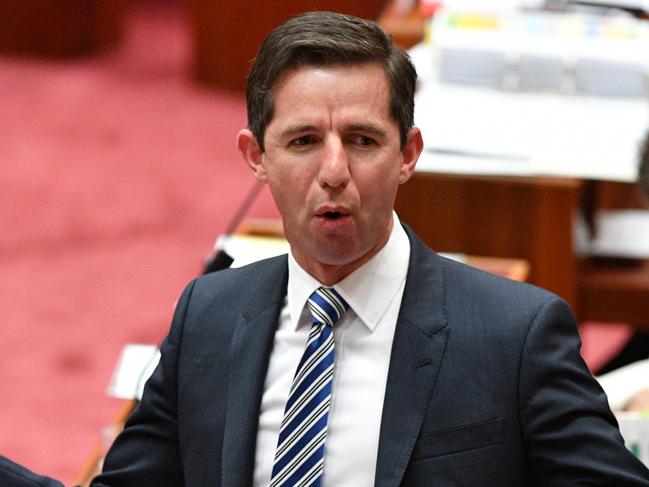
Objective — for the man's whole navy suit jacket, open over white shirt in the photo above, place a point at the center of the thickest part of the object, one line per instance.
(486, 387)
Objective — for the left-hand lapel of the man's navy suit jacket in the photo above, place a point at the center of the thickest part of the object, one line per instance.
(250, 350)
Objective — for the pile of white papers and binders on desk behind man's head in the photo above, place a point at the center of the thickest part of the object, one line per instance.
(578, 121)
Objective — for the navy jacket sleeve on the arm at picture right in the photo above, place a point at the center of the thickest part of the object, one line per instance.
(570, 434)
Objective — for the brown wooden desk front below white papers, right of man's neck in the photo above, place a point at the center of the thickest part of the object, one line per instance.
(531, 218)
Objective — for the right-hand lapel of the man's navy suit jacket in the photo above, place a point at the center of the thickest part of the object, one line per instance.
(417, 351)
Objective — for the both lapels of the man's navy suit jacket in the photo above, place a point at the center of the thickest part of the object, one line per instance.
(417, 350)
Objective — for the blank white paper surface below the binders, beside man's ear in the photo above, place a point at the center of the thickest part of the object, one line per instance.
(536, 133)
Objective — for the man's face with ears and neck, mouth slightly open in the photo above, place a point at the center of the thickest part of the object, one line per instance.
(333, 163)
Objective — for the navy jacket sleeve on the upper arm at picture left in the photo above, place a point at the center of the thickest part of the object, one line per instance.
(147, 451)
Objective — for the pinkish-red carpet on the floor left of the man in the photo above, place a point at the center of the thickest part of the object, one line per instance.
(117, 175)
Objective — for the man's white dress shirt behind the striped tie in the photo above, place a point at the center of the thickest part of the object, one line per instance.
(363, 341)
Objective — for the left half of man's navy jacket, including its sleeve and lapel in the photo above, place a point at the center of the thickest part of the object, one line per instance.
(202, 401)
